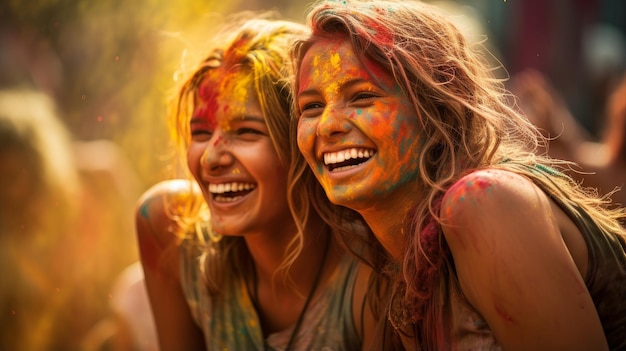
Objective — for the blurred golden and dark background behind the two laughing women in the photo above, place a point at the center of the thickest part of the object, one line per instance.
(84, 133)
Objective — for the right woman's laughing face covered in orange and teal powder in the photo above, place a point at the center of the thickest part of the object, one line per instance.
(356, 128)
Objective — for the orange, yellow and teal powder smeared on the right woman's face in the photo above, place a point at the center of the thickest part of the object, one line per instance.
(334, 63)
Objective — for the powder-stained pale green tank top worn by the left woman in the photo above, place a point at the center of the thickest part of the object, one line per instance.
(233, 323)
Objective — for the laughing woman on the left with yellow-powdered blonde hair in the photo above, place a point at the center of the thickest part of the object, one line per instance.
(254, 265)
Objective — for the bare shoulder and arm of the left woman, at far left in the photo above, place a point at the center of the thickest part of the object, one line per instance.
(158, 246)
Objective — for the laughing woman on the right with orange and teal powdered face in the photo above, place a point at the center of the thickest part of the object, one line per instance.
(489, 245)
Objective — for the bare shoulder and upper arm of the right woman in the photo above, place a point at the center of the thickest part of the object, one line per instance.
(514, 266)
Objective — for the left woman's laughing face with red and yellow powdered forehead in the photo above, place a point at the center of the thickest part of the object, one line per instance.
(232, 157)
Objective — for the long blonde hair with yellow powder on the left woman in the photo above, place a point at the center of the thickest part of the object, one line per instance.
(257, 44)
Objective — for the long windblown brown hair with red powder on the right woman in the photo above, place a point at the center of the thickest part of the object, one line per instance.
(468, 123)
